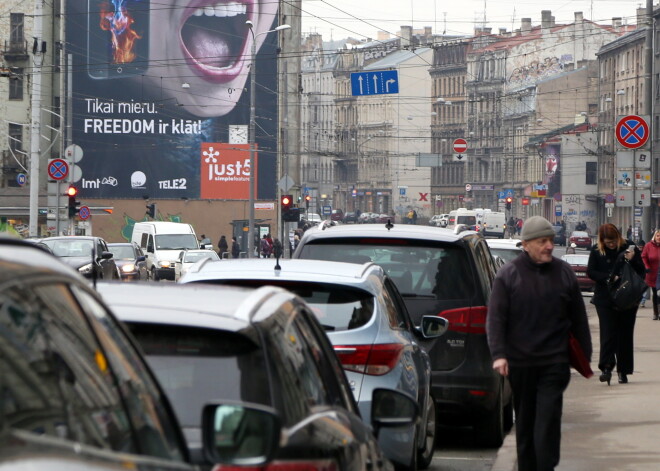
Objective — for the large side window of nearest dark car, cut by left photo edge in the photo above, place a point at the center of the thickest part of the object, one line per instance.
(56, 381)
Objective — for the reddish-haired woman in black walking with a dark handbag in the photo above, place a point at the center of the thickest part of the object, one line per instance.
(616, 326)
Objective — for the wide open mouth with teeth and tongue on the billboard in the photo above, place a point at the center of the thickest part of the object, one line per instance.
(214, 36)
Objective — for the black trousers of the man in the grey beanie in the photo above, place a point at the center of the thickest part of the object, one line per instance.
(538, 399)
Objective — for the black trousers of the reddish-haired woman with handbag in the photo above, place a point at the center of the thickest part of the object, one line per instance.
(616, 338)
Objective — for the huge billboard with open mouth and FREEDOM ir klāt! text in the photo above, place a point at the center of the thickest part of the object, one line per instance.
(155, 88)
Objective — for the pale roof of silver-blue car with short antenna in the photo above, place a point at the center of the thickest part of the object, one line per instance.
(291, 270)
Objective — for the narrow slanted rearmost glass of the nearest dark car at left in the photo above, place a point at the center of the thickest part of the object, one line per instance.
(156, 433)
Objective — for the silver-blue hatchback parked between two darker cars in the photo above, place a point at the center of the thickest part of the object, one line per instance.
(370, 329)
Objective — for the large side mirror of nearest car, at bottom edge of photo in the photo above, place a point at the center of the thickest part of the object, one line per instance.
(240, 434)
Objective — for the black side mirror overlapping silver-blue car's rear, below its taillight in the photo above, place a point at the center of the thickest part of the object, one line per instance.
(391, 409)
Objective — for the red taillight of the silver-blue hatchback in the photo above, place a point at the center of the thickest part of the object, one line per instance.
(375, 360)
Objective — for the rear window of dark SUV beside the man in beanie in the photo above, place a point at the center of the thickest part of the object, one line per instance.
(417, 267)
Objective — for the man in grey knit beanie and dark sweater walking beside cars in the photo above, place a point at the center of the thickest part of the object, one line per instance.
(535, 302)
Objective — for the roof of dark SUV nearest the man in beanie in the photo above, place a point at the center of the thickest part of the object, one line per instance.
(397, 231)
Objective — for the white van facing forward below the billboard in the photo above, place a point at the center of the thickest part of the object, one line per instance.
(162, 242)
